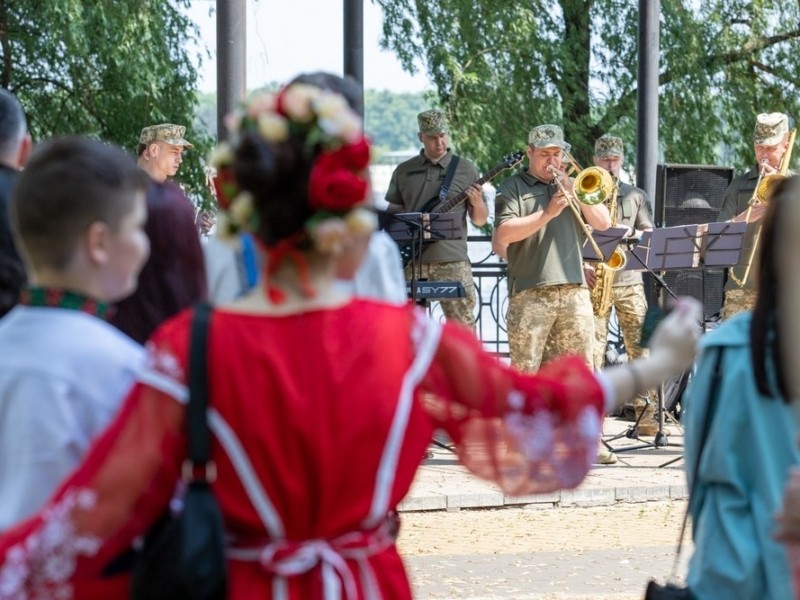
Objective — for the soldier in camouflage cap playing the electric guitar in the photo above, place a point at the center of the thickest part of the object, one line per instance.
(417, 180)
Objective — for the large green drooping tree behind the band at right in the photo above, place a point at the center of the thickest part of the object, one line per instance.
(503, 66)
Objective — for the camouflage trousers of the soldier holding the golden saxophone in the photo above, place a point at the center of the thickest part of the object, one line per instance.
(631, 306)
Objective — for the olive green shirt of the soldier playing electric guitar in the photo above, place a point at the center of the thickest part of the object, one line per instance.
(417, 180)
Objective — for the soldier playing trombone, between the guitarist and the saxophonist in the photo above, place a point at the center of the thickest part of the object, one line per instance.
(549, 303)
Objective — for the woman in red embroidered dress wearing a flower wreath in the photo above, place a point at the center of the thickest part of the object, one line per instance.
(321, 405)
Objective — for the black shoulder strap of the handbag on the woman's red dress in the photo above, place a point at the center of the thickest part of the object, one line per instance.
(196, 410)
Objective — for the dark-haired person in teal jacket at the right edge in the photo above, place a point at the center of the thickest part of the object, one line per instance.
(751, 440)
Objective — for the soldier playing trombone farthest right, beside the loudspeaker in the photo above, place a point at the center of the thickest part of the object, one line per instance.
(770, 142)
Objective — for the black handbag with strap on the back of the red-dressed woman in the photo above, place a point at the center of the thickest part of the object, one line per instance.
(183, 557)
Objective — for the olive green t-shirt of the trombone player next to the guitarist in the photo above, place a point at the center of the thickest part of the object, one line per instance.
(552, 255)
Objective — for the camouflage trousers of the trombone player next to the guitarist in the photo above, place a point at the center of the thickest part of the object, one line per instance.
(547, 322)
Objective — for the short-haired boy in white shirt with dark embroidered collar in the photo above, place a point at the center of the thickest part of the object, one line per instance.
(79, 210)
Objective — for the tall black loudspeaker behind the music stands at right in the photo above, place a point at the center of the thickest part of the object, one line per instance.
(685, 195)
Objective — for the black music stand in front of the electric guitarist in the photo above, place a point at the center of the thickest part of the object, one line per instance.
(418, 229)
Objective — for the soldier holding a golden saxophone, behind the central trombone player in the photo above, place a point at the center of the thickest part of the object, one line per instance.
(626, 294)
